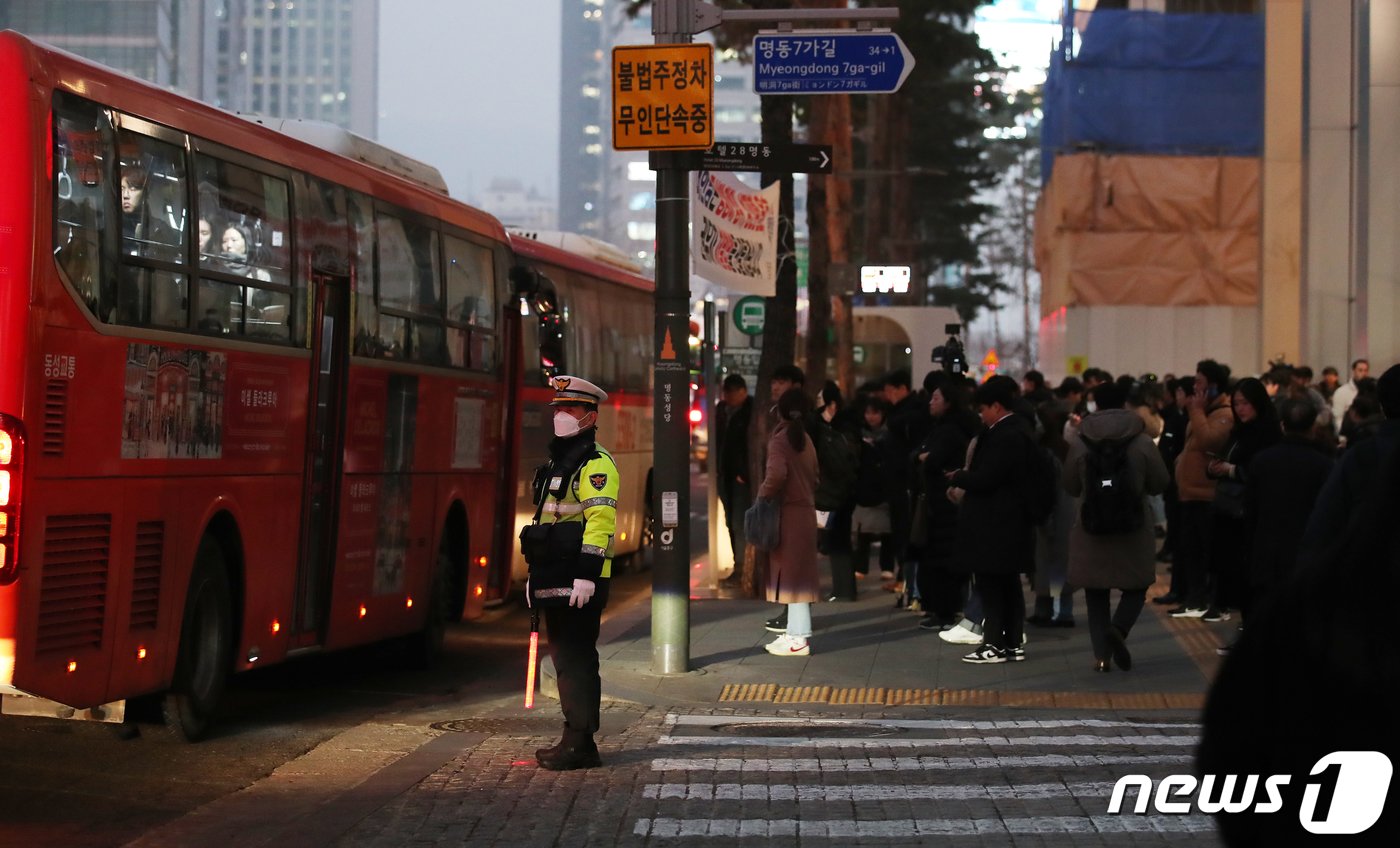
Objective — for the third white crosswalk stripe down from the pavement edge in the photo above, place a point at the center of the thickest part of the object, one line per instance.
(838, 765)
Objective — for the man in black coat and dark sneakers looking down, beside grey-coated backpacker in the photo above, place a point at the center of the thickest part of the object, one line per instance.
(996, 538)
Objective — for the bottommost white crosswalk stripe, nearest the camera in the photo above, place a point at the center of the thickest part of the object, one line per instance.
(918, 828)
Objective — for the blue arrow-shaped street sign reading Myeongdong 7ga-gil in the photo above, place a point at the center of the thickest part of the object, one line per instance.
(825, 62)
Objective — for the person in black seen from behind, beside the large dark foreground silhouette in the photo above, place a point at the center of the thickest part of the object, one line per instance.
(1284, 482)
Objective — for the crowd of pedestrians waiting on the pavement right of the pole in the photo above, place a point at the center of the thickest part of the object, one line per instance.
(961, 496)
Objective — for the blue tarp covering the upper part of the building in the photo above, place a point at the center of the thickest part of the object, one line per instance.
(1186, 85)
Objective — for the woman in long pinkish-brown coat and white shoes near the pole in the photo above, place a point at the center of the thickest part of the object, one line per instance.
(790, 478)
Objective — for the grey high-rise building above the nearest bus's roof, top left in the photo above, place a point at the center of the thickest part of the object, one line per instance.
(314, 59)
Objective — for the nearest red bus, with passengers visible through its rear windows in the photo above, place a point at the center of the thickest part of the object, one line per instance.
(260, 398)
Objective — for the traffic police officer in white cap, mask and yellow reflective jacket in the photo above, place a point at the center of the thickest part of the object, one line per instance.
(579, 485)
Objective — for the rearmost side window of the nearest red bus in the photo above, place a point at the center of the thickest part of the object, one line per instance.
(79, 176)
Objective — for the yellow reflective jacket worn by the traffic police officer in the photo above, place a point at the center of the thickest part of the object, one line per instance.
(593, 499)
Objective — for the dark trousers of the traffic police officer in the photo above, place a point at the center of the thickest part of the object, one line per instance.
(573, 647)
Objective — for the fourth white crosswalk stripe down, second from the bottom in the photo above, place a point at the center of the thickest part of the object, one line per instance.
(860, 793)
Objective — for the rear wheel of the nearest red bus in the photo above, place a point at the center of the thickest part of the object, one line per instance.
(206, 644)
